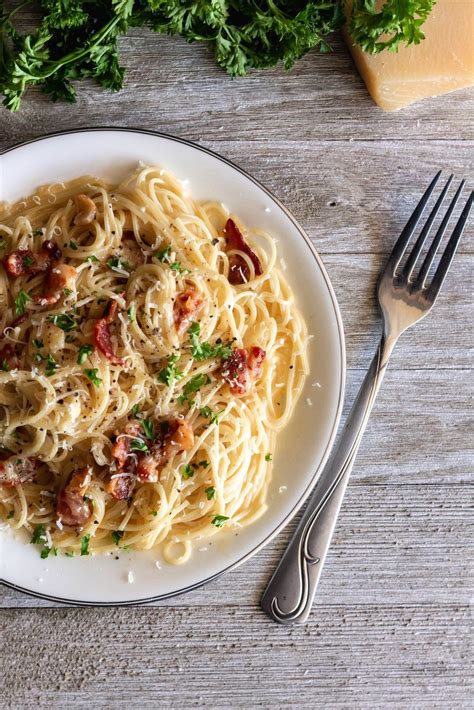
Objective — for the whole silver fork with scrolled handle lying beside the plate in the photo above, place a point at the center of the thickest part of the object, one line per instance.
(404, 299)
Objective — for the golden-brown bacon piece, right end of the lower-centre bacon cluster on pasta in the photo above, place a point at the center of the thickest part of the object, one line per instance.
(175, 435)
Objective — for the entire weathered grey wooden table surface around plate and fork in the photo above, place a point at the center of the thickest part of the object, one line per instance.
(391, 626)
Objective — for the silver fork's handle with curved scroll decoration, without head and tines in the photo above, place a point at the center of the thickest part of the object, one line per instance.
(290, 592)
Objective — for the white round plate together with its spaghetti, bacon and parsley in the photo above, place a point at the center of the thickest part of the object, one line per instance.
(171, 366)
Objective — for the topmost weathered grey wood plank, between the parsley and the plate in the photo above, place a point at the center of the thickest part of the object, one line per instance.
(175, 87)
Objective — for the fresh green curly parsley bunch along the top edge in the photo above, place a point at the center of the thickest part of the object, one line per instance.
(77, 39)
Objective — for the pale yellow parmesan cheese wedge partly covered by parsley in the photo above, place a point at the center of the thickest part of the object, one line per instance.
(442, 62)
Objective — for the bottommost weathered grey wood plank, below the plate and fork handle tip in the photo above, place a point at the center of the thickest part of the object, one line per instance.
(233, 657)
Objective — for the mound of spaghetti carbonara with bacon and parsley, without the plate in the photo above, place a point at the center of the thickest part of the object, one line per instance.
(150, 352)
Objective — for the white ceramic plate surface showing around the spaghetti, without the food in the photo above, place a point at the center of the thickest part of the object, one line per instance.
(302, 448)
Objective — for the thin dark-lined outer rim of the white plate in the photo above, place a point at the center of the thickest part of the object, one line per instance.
(340, 329)
